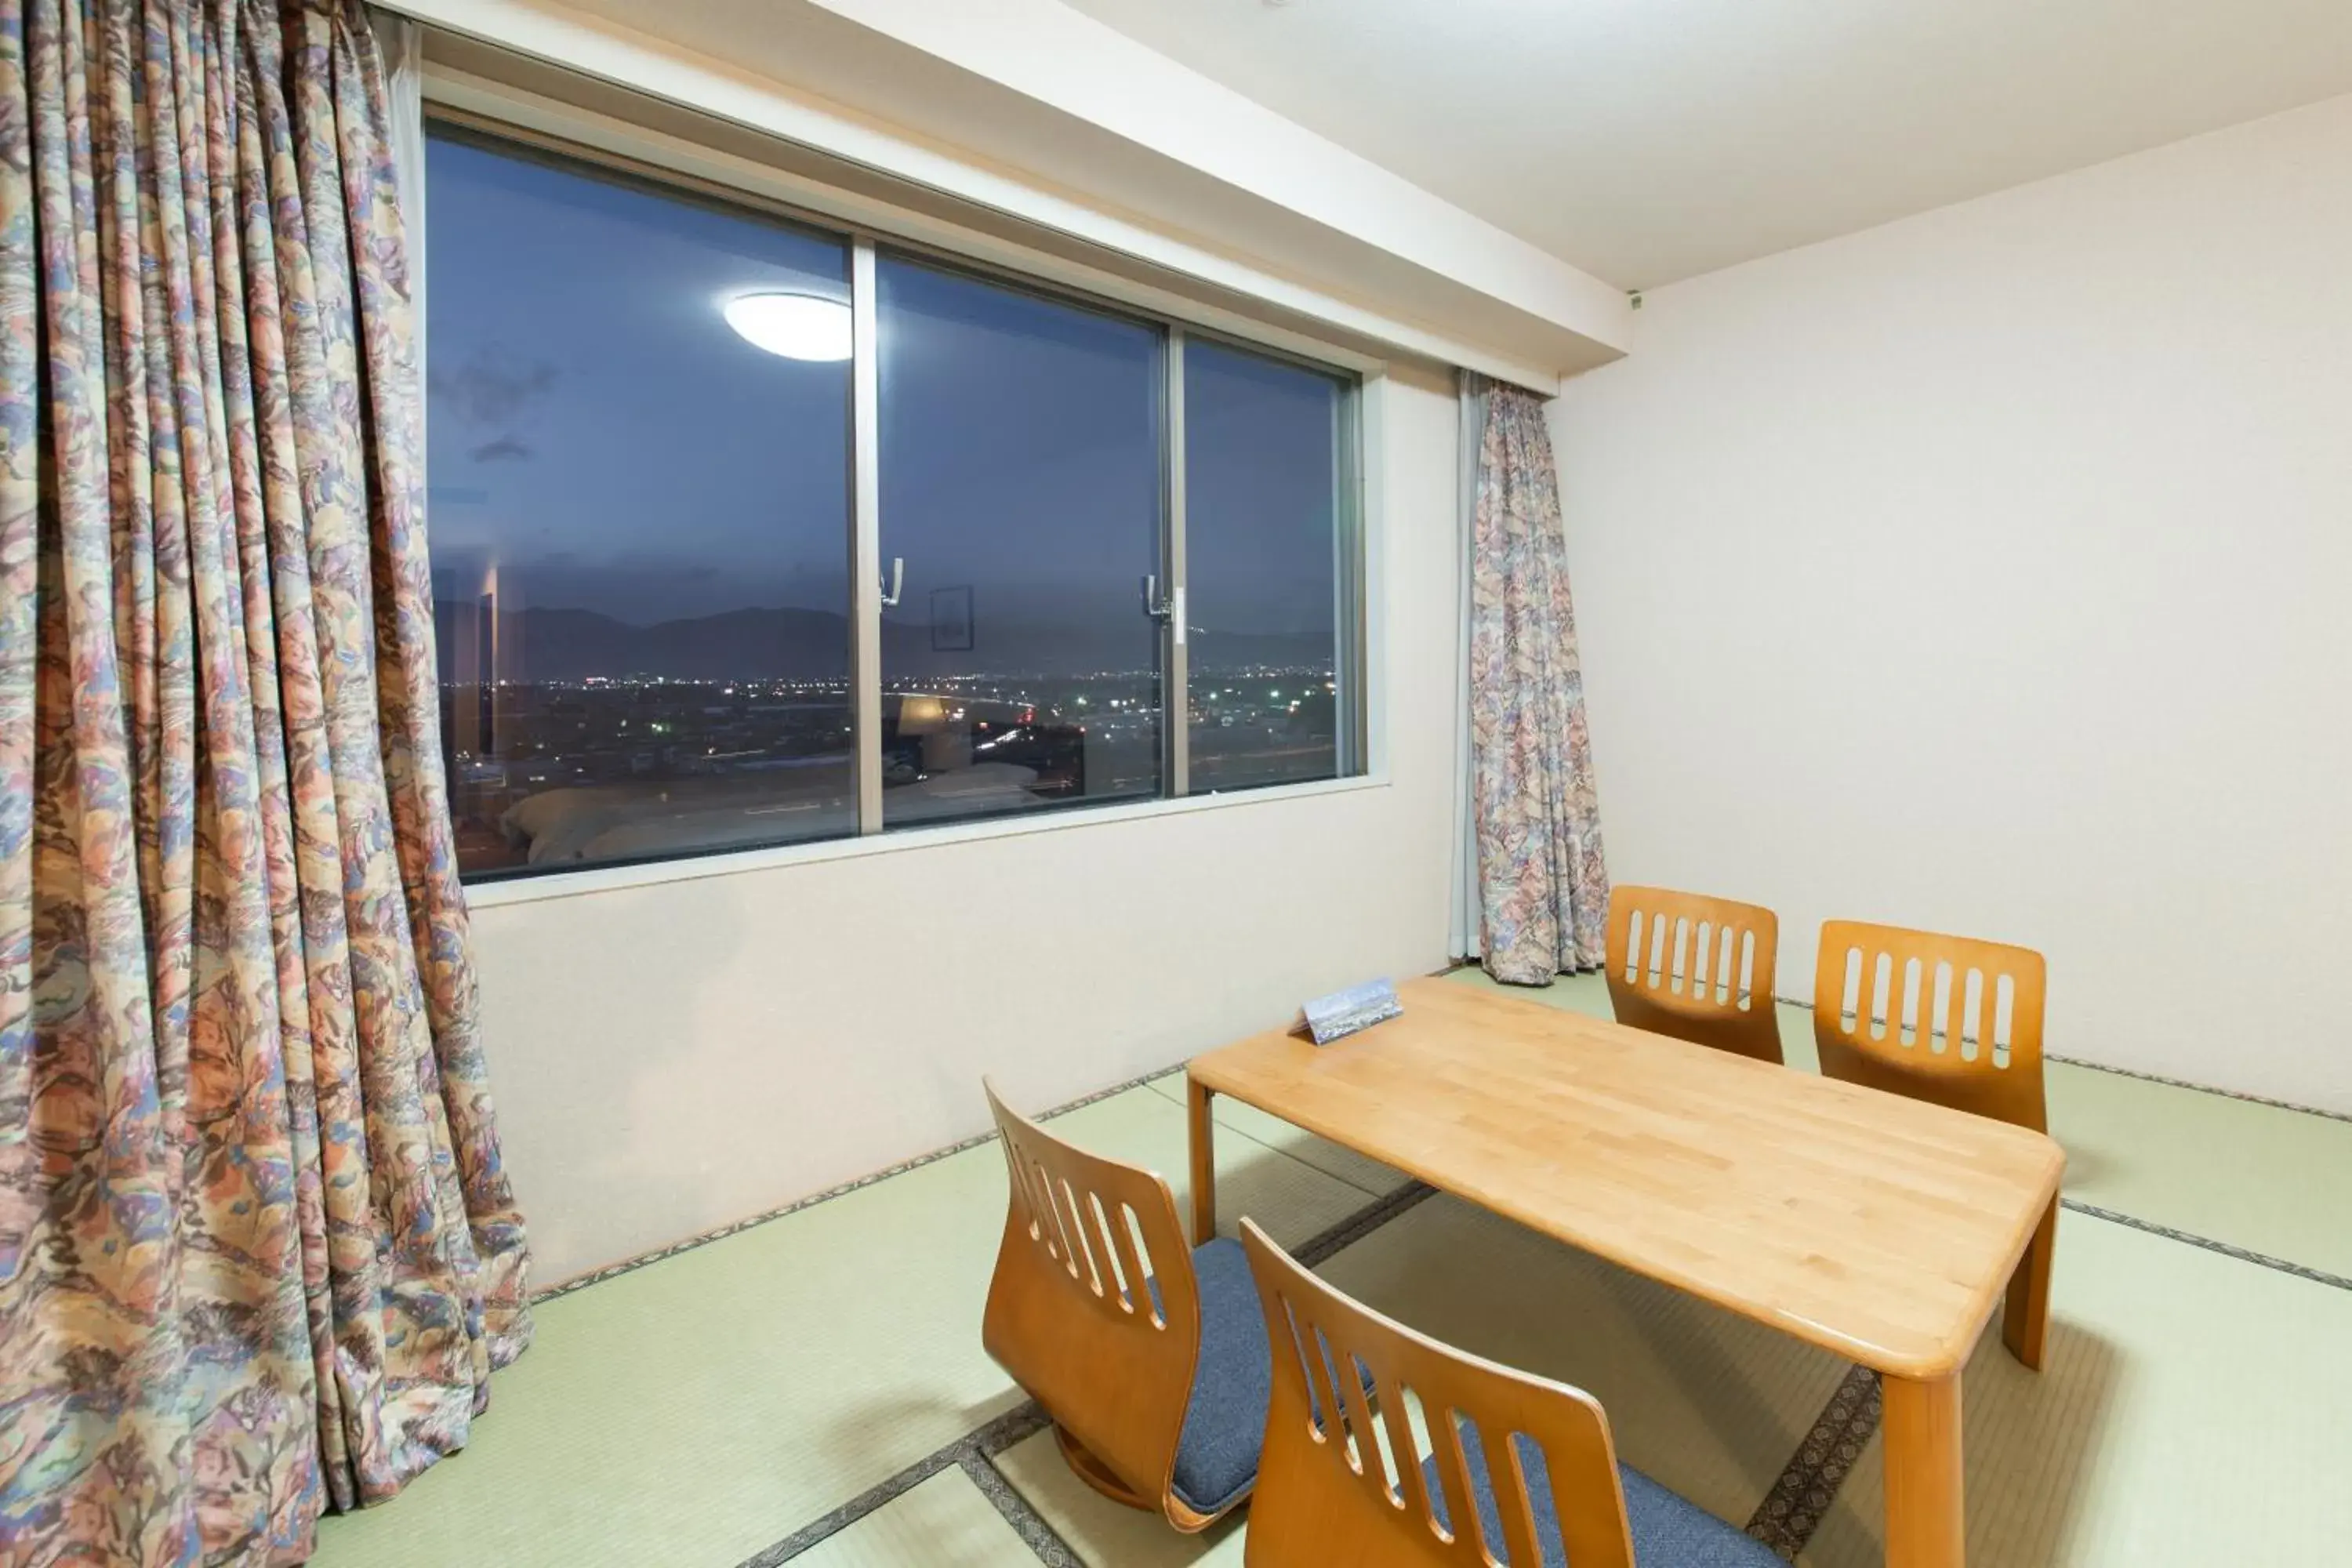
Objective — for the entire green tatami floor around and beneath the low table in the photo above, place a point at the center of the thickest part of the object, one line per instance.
(711, 1407)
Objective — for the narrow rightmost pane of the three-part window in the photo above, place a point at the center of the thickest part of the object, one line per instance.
(1269, 554)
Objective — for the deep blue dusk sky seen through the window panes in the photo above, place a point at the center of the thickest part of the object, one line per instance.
(613, 445)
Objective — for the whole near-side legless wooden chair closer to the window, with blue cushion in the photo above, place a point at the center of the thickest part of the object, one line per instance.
(1149, 1355)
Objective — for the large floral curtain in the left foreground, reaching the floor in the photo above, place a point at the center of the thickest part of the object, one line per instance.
(258, 1252)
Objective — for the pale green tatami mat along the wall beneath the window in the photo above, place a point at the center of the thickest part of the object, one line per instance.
(709, 1405)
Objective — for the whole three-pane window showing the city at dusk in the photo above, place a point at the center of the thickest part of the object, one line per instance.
(749, 535)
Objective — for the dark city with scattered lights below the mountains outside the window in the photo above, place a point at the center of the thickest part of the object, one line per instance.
(629, 768)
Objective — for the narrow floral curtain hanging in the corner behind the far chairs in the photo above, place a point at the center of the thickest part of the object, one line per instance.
(1544, 887)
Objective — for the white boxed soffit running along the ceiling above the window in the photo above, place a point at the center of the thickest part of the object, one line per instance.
(1163, 166)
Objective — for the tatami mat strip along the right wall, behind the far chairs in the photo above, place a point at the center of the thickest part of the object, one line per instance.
(2259, 1177)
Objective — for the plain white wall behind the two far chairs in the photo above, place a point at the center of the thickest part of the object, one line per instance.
(1989, 572)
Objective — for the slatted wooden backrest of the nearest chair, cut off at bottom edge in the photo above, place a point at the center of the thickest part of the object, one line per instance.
(1354, 1487)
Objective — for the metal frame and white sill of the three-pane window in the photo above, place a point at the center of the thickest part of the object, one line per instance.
(537, 128)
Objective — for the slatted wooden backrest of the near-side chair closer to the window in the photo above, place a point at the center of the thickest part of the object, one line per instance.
(1093, 1306)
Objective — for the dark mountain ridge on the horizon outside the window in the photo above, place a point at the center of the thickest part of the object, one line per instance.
(568, 645)
